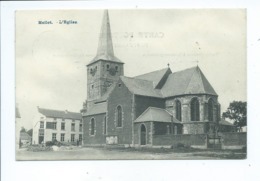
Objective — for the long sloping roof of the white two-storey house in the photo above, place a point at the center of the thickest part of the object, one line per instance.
(60, 114)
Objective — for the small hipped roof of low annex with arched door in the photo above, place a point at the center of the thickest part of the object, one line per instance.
(156, 115)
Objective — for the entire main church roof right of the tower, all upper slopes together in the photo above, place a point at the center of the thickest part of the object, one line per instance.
(189, 81)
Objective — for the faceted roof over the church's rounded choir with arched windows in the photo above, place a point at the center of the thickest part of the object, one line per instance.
(189, 81)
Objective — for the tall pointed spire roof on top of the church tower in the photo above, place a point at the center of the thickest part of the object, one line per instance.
(105, 45)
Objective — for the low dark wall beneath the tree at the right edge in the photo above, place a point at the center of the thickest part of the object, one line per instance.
(235, 140)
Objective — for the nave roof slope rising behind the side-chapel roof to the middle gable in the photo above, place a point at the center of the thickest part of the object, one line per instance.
(155, 76)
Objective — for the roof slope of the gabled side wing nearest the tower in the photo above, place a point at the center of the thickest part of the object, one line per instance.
(141, 87)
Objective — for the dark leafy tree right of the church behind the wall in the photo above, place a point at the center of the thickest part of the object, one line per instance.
(237, 112)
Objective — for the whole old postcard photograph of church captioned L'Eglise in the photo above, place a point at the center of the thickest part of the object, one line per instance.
(131, 84)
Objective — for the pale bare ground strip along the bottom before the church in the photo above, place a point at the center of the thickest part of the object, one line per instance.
(89, 153)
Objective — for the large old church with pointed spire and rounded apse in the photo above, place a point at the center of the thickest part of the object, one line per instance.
(150, 109)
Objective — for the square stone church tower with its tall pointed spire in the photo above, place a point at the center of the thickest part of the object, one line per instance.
(105, 69)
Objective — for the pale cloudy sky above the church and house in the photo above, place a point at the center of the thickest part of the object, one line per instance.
(51, 59)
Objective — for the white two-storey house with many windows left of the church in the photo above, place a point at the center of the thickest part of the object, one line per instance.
(56, 125)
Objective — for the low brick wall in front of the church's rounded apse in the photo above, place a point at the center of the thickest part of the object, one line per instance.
(195, 140)
